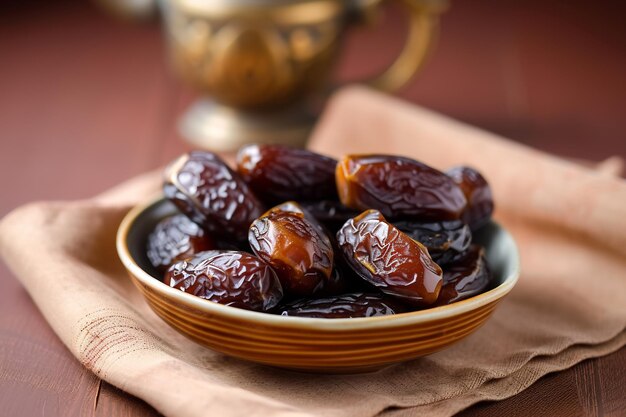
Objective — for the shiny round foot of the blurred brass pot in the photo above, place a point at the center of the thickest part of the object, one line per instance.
(211, 126)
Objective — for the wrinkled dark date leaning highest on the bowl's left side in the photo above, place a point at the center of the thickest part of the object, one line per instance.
(204, 188)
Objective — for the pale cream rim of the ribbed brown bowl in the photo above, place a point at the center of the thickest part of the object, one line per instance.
(357, 323)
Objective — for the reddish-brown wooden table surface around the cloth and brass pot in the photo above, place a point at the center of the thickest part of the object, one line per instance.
(86, 102)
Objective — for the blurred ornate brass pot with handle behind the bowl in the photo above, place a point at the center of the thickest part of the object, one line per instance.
(263, 62)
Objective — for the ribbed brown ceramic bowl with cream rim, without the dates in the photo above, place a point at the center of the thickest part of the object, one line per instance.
(312, 344)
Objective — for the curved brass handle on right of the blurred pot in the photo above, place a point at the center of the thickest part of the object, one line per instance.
(423, 26)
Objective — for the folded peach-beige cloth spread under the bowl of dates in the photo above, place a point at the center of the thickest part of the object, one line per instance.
(569, 305)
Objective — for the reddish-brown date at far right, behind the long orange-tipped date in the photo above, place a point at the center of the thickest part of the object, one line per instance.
(478, 194)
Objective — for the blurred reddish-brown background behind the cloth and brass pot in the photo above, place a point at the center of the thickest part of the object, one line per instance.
(88, 100)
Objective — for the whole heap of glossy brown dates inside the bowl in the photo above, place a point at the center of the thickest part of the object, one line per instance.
(295, 233)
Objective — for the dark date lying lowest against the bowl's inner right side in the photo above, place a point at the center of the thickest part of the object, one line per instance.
(466, 278)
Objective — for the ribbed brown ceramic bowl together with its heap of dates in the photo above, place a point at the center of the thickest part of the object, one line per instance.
(301, 261)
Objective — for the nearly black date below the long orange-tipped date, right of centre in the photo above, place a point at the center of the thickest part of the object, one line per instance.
(445, 241)
